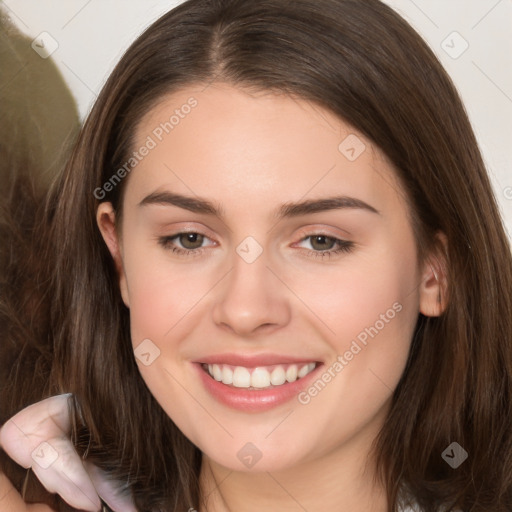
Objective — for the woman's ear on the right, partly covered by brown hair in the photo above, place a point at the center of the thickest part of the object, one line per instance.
(434, 279)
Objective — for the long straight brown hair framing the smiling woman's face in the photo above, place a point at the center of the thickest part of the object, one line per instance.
(364, 63)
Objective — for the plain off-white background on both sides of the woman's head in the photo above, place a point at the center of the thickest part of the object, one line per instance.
(93, 34)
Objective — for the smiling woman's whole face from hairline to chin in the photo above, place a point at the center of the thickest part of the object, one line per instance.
(265, 237)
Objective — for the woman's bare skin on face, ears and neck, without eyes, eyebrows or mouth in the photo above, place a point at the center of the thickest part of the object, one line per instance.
(249, 153)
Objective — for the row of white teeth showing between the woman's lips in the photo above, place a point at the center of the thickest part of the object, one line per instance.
(261, 377)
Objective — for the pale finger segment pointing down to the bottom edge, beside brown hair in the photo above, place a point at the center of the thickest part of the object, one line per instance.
(59, 468)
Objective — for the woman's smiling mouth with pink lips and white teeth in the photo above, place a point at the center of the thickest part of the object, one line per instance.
(241, 384)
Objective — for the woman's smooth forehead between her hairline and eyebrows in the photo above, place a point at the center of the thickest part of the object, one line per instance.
(255, 149)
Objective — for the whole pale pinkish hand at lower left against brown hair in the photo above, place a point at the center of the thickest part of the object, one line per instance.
(38, 437)
